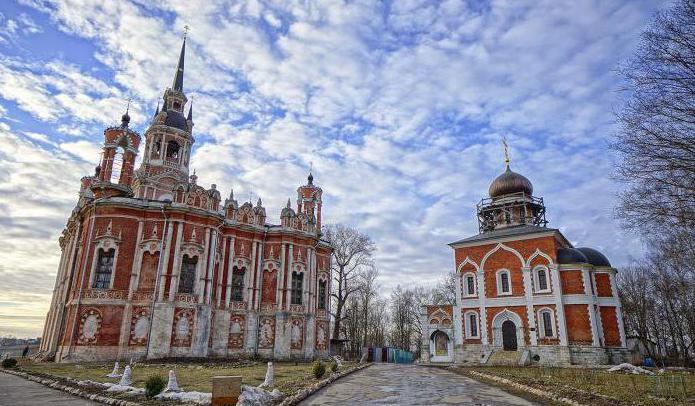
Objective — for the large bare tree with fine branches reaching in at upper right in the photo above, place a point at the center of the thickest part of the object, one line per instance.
(656, 140)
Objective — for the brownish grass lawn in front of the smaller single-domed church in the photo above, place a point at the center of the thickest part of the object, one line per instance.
(582, 385)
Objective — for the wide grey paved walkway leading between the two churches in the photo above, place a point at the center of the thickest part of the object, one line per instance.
(393, 384)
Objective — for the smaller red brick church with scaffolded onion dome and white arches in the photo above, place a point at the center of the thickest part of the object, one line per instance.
(524, 293)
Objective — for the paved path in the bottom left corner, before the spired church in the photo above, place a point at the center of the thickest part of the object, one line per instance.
(21, 392)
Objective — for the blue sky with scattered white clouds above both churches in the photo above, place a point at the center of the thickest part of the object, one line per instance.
(400, 105)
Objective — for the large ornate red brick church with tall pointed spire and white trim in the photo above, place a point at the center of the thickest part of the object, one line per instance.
(155, 265)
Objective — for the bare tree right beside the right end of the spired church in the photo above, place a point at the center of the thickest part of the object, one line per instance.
(352, 254)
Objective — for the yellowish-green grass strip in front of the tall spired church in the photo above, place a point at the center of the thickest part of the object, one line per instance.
(289, 378)
